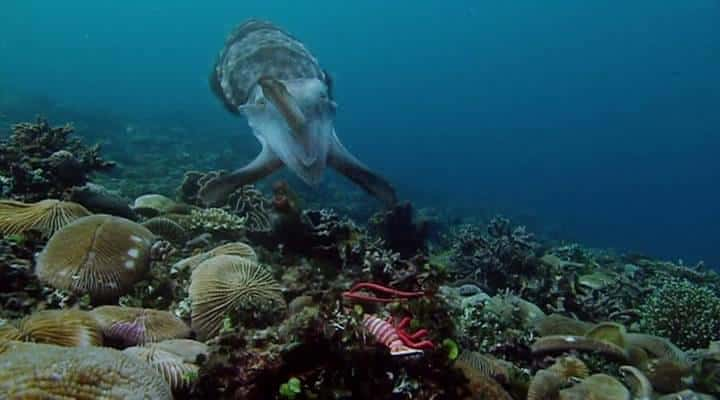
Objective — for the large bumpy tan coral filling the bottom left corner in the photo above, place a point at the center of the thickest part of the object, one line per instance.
(40, 371)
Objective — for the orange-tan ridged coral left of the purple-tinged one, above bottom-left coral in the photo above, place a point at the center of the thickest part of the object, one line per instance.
(70, 328)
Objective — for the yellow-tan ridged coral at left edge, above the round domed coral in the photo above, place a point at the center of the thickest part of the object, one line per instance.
(46, 216)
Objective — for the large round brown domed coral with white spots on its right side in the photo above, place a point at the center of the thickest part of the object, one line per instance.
(100, 254)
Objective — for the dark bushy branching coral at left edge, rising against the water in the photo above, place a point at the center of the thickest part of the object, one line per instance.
(39, 160)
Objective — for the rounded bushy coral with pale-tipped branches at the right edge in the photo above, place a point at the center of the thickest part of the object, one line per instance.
(685, 313)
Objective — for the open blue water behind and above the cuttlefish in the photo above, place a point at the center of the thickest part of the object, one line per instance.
(597, 120)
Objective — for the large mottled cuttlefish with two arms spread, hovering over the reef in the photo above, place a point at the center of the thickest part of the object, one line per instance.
(268, 76)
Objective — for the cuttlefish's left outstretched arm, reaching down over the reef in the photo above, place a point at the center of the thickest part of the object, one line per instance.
(216, 190)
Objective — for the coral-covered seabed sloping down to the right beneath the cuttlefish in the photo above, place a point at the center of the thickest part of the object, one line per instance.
(279, 294)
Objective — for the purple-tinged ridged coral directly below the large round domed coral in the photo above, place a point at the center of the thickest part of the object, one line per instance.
(130, 326)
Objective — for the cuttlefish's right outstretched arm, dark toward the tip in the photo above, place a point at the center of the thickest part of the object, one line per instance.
(345, 163)
